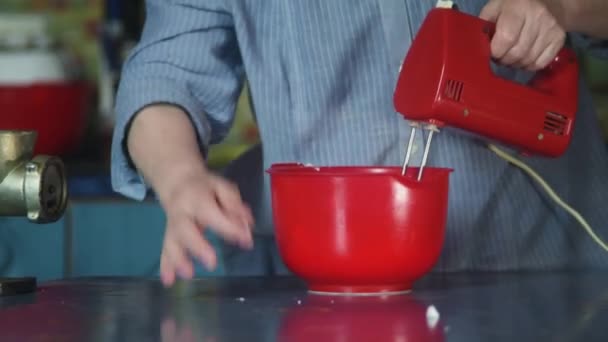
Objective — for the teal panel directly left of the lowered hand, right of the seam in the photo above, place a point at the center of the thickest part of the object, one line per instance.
(118, 238)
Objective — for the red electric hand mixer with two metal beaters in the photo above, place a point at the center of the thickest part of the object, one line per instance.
(446, 80)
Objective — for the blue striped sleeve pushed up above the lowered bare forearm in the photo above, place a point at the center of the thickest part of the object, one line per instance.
(187, 56)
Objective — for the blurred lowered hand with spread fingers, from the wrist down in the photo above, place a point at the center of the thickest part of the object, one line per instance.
(197, 202)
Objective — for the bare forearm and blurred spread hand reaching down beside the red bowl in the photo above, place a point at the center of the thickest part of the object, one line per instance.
(163, 145)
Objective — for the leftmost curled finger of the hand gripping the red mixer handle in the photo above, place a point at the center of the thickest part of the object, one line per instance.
(508, 31)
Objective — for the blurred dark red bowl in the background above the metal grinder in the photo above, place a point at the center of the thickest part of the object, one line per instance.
(57, 111)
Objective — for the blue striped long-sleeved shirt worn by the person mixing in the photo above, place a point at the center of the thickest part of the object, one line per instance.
(322, 75)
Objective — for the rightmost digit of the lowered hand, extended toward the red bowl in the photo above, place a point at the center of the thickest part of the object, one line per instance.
(227, 227)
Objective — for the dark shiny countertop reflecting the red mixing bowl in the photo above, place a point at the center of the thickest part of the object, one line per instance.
(483, 307)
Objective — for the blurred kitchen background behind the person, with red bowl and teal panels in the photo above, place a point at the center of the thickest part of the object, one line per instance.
(79, 45)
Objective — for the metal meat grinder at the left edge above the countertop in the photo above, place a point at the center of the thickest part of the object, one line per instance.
(30, 186)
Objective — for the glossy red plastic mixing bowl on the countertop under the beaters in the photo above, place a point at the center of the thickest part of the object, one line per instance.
(359, 229)
